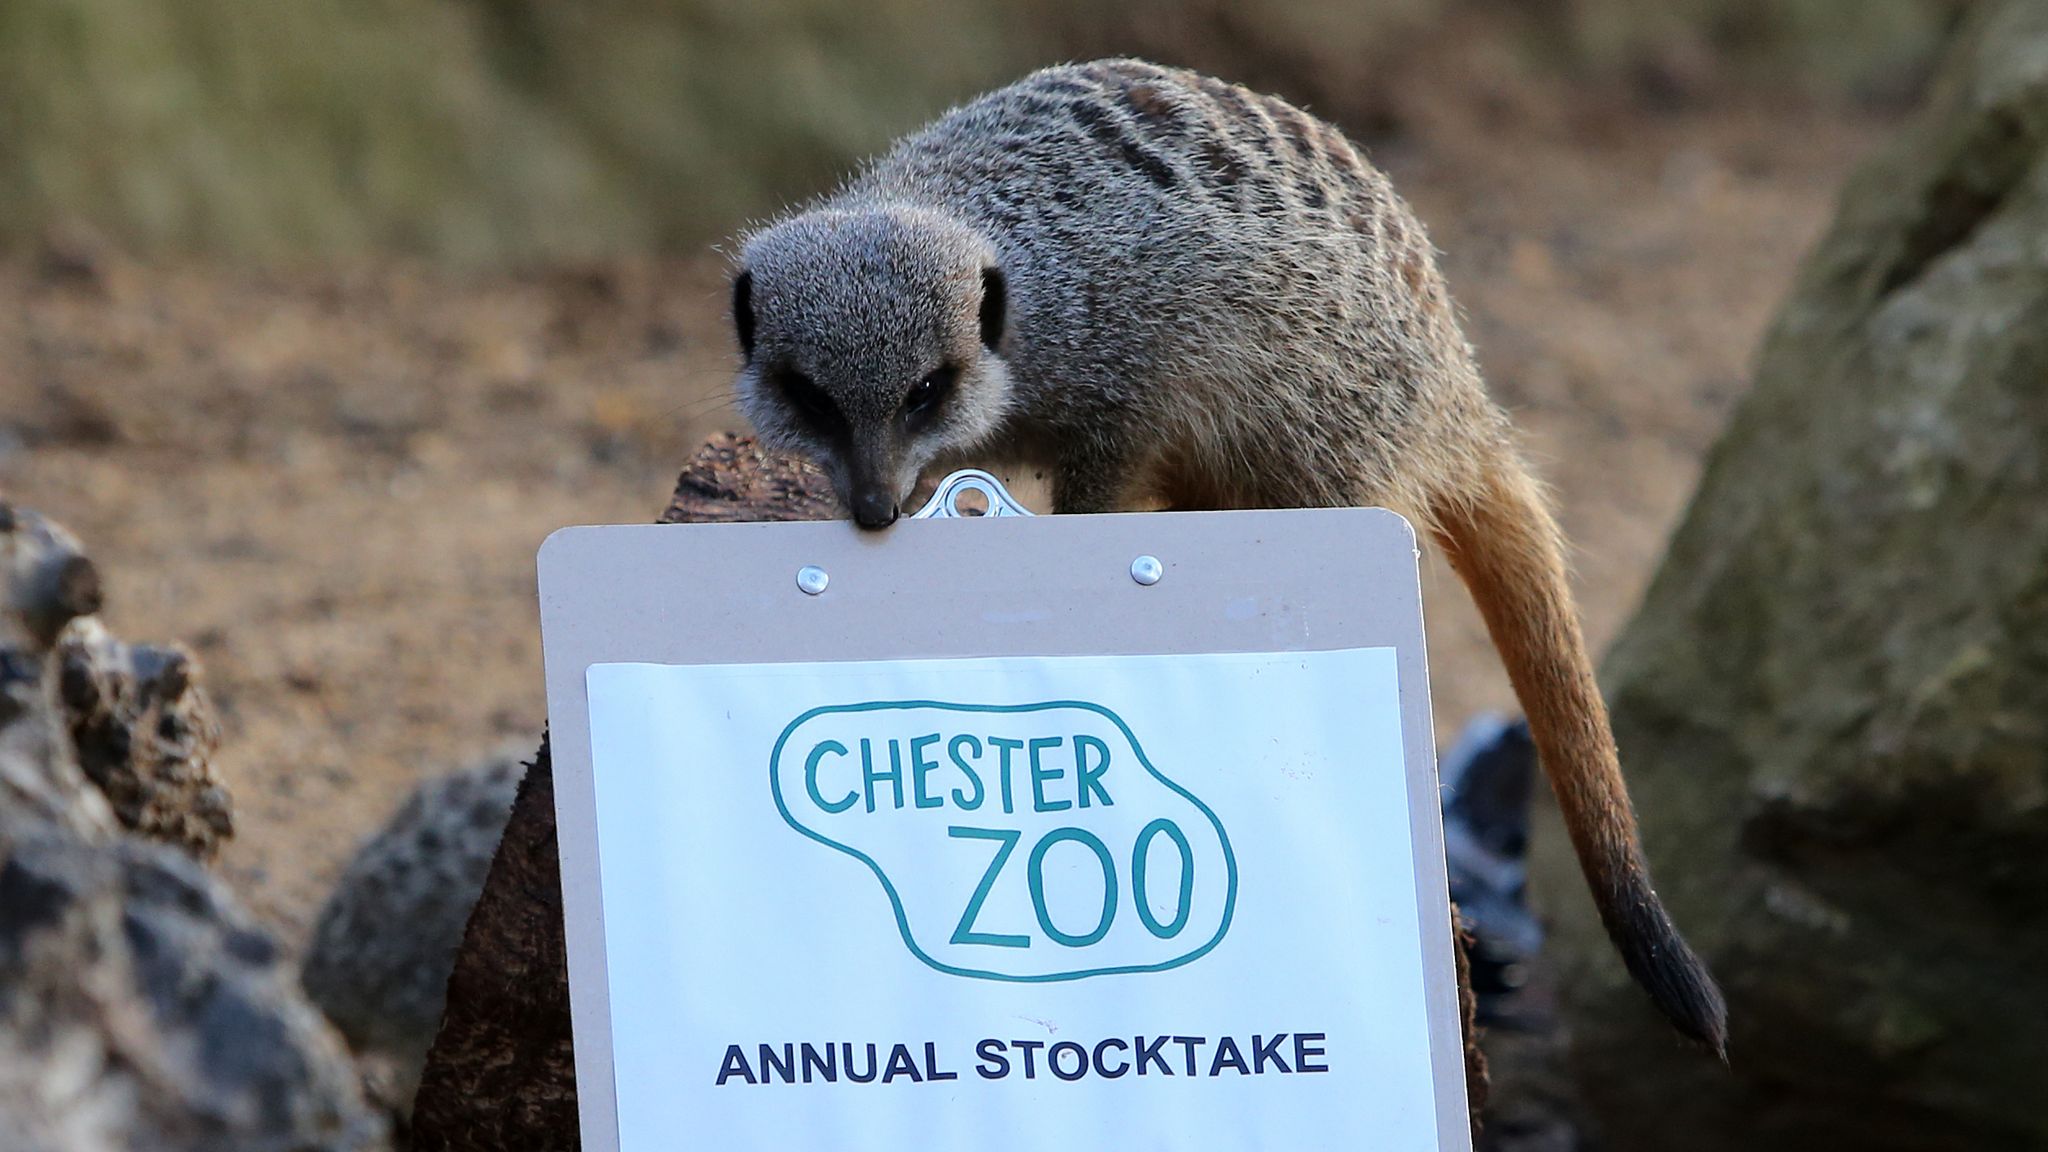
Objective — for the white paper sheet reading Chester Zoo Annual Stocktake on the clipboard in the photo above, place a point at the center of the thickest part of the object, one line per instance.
(1017, 903)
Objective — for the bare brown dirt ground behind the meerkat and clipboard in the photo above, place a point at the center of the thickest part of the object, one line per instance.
(333, 483)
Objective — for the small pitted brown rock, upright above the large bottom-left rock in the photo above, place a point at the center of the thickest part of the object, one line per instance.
(146, 735)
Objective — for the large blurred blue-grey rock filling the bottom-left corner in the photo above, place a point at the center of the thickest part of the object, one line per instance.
(142, 1010)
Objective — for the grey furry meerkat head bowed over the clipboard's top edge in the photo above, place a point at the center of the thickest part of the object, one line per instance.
(871, 343)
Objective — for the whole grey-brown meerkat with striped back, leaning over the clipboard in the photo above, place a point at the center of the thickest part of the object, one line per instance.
(1170, 290)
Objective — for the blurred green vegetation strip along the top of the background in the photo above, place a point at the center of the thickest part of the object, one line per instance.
(493, 132)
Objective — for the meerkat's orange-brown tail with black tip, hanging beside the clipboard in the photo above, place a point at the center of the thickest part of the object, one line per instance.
(1508, 550)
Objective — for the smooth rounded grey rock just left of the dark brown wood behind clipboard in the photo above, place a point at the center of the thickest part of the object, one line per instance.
(386, 940)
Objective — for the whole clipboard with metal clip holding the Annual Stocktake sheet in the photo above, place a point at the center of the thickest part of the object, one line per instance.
(644, 624)
